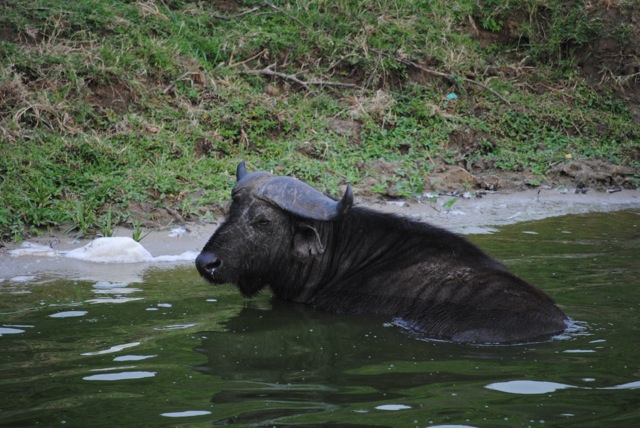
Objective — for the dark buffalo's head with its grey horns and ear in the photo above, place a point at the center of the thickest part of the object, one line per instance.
(270, 227)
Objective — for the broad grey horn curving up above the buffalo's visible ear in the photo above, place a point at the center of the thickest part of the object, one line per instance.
(302, 200)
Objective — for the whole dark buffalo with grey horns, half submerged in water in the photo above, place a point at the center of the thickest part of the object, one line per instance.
(311, 249)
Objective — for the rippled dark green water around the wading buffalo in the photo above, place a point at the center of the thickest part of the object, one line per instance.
(174, 351)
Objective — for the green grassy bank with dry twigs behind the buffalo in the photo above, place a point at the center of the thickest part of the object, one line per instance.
(121, 112)
